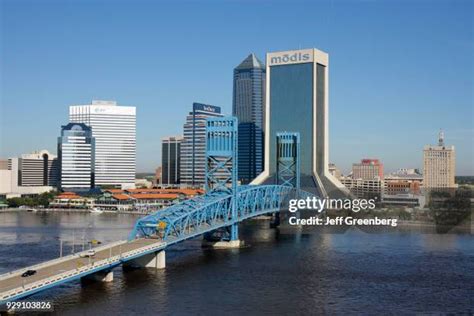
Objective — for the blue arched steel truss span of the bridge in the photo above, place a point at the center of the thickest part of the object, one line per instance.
(209, 212)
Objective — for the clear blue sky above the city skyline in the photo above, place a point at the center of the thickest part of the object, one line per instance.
(398, 70)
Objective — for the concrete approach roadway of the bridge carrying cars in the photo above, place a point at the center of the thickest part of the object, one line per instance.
(68, 268)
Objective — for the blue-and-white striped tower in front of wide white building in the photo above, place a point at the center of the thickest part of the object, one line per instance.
(76, 157)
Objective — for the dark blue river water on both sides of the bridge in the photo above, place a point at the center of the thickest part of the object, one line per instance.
(283, 271)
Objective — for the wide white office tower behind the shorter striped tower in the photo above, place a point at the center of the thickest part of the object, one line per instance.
(114, 130)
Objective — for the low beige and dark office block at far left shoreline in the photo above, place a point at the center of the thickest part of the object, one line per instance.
(40, 168)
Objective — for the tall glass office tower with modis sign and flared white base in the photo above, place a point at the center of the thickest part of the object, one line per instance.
(297, 101)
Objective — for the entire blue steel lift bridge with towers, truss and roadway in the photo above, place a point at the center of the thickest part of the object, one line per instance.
(215, 215)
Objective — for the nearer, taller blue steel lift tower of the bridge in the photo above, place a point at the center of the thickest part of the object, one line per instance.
(222, 166)
